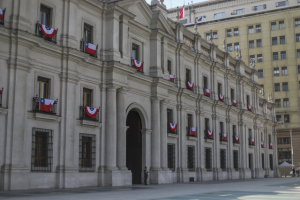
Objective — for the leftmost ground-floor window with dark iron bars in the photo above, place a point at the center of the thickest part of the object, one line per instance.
(42, 149)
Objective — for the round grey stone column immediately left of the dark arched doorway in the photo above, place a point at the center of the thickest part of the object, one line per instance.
(121, 130)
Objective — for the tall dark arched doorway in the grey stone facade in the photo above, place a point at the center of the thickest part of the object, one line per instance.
(134, 146)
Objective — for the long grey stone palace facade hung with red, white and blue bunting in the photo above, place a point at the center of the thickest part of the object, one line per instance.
(66, 148)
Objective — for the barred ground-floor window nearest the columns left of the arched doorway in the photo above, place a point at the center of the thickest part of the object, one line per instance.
(87, 152)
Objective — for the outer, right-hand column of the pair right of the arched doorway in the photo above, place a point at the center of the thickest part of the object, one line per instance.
(163, 135)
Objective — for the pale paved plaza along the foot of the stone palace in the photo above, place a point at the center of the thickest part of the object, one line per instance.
(271, 188)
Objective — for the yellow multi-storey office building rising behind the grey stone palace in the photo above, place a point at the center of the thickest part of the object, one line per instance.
(267, 31)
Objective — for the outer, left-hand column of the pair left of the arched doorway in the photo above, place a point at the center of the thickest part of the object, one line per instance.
(111, 129)
